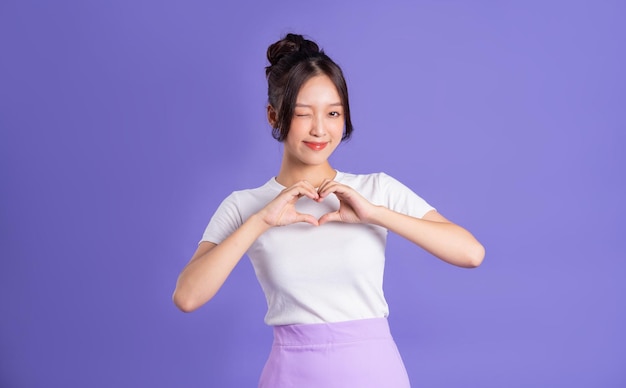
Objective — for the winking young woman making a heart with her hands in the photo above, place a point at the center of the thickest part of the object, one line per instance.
(316, 237)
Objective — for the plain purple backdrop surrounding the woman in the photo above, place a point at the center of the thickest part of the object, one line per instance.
(125, 123)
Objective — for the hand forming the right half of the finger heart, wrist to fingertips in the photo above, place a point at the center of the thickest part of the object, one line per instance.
(353, 208)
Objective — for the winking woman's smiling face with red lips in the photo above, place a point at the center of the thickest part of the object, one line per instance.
(317, 125)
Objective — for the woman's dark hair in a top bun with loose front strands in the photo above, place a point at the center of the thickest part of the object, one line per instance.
(293, 61)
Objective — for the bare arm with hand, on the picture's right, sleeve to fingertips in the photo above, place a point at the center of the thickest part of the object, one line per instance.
(434, 233)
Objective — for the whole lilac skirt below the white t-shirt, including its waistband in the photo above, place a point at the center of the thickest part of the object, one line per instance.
(358, 353)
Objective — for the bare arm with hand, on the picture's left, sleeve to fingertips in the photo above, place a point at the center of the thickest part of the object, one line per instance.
(212, 263)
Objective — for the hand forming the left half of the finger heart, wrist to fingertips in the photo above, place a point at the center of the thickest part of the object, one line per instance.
(282, 209)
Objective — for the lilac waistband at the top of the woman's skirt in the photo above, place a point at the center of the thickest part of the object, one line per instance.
(336, 332)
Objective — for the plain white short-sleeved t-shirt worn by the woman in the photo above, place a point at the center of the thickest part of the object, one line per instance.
(315, 274)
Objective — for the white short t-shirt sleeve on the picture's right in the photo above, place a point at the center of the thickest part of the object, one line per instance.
(401, 199)
